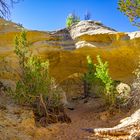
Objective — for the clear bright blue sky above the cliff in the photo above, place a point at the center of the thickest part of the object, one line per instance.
(51, 14)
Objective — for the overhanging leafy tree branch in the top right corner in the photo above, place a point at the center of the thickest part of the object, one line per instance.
(131, 8)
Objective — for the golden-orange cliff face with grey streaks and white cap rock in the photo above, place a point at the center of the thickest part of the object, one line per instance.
(67, 49)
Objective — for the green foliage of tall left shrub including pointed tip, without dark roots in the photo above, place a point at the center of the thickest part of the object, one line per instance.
(35, 79)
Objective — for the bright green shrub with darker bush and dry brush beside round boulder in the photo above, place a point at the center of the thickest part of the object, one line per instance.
(98, 82)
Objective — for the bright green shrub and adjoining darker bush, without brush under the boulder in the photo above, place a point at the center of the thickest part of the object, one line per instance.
(97, 77)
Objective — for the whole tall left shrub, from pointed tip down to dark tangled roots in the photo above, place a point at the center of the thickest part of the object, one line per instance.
(36, 87)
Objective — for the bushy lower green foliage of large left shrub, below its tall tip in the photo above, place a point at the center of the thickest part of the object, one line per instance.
(35, 81)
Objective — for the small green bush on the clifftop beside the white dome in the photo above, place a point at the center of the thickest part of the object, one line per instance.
(71, 19)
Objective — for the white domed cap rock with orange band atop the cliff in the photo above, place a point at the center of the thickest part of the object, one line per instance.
(94, 34)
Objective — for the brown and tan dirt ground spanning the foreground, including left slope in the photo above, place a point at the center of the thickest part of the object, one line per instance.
(17, 123)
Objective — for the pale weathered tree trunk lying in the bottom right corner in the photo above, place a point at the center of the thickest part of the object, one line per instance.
(128, 129)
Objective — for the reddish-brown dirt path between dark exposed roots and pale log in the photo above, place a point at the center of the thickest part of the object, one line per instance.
(87, 115)
